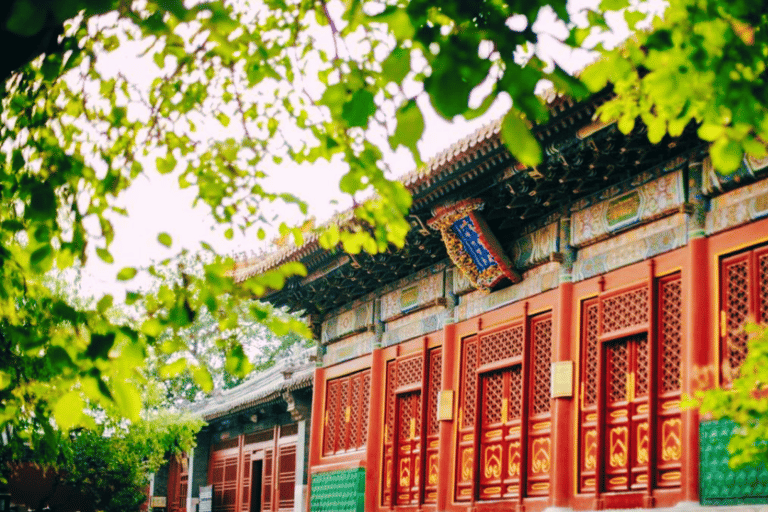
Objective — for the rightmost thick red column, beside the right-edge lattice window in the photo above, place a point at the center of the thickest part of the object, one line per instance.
(697, 354)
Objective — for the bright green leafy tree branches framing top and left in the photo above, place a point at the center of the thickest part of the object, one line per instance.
(232, 88)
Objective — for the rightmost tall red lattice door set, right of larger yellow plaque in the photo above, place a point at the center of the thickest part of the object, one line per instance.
(630, 369)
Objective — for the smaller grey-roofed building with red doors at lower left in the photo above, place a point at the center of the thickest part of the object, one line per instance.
(252, 455)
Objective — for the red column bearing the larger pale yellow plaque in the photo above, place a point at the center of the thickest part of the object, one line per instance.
(562, 408)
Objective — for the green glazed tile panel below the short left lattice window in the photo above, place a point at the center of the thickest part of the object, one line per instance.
(338, 491)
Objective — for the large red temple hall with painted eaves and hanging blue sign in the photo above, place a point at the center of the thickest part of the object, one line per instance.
(530, 345)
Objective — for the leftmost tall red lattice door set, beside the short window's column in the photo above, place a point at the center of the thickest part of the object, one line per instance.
(411, 428)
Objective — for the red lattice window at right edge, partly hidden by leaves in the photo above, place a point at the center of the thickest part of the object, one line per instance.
(743, 298)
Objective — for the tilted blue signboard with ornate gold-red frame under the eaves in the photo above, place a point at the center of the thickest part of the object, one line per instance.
(471, 245)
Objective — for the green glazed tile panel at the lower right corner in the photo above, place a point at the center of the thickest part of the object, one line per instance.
(719, 484)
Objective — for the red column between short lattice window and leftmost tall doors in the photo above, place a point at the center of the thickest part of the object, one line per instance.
(374, 441)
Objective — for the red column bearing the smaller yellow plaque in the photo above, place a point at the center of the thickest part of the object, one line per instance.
(447, 445)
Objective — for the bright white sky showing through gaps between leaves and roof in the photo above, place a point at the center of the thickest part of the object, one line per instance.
(156, 204)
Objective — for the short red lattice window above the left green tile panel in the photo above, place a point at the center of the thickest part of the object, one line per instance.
(347, 403)
